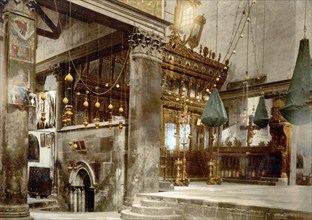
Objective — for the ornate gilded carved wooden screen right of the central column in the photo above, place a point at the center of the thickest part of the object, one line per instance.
(186, 75)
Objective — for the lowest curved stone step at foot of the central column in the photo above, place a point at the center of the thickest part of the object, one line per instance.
(128, 215)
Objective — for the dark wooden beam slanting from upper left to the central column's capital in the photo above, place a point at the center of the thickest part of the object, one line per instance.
(84, 14)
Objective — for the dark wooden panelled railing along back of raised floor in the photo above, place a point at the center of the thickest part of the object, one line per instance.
(235, 163)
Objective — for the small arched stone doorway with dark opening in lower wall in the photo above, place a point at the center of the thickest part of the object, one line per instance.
(82, 188)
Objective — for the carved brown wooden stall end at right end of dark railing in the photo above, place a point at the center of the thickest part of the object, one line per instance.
(281, 132)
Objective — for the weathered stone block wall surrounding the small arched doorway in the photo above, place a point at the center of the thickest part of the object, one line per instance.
(104, 160)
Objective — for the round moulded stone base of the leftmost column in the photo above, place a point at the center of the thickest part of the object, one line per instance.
(15, 212)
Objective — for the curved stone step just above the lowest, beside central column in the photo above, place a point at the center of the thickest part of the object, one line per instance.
(145, 210)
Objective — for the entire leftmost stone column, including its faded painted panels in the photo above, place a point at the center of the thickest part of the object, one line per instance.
(14, 109)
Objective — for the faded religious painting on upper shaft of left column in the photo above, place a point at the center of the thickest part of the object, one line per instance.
(21, 58)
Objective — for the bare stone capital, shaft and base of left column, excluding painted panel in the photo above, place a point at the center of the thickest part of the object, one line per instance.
(14, 134)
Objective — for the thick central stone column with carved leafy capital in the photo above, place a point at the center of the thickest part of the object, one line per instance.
(144, 113)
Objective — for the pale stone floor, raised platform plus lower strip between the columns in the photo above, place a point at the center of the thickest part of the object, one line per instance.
(296, 198)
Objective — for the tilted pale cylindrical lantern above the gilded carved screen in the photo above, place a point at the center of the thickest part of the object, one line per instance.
(196, 31)
